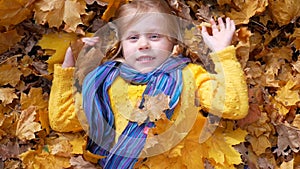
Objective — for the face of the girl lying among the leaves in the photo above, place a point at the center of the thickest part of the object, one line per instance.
(145, 44)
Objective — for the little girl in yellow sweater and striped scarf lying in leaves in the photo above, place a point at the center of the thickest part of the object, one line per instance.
(143, 67)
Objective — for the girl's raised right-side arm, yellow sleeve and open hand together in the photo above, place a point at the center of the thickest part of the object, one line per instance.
(225, 93)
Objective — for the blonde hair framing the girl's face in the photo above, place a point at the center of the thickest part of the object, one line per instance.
(130, 13)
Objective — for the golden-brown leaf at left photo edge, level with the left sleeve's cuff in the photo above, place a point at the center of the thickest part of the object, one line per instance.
(10, 74)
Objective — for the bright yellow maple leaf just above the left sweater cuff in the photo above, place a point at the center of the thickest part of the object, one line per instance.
(58, 42)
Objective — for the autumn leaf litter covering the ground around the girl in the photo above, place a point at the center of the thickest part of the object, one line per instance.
(34, 35)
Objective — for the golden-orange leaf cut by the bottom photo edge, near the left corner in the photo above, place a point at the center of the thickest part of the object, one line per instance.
(43, 160)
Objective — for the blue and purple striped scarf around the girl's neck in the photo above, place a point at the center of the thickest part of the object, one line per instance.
(124, 154)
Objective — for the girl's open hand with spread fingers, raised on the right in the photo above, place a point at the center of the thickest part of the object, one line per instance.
(221, 37)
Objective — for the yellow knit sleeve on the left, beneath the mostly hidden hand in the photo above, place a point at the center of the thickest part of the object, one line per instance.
(62, 114)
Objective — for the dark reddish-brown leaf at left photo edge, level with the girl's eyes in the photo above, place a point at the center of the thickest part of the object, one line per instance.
(8, 39)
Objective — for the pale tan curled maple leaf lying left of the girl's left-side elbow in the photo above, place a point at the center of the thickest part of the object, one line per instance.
(26, 125)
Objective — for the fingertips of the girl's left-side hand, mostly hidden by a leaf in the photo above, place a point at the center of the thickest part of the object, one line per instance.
(69, 60)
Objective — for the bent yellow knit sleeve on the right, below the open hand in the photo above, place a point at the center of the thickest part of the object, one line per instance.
(224, 93)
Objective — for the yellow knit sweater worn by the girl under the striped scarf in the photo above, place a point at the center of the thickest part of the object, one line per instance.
(223, 94)
